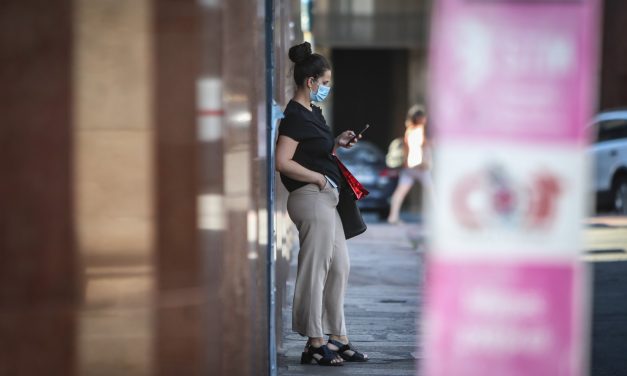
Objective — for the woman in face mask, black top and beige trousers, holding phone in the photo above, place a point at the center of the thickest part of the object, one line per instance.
(304, 158)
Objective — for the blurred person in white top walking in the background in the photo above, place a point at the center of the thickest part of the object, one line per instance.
(416, 163)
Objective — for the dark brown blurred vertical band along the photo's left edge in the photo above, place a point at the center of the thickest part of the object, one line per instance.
(38, 260)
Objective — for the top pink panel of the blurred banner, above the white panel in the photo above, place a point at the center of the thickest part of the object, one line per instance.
(513, 70)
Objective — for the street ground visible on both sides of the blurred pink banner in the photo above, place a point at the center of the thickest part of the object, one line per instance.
(384, 297)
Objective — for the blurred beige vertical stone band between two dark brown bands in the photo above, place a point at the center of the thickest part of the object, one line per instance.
(113, 132)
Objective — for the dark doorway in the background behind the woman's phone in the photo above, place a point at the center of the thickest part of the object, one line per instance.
(370, 86)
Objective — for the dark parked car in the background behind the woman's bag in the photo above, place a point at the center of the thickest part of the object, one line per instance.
(367, 163)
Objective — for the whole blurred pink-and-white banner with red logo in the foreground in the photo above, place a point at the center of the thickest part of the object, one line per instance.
(513, 87)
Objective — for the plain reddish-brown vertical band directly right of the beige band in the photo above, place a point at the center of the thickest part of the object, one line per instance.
(182, 296)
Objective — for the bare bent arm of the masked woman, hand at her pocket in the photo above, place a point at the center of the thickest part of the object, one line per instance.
(286, 147)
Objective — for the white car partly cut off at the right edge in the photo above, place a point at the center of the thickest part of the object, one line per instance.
(609, 154)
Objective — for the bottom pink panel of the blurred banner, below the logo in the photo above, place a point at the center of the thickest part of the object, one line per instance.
(502, 319)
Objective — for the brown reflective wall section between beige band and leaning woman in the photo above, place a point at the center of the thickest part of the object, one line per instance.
(210, 181)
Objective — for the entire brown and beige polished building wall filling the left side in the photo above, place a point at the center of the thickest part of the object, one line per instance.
(134, 228)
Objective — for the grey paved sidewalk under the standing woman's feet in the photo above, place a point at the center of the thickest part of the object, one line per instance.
(381, 307)
